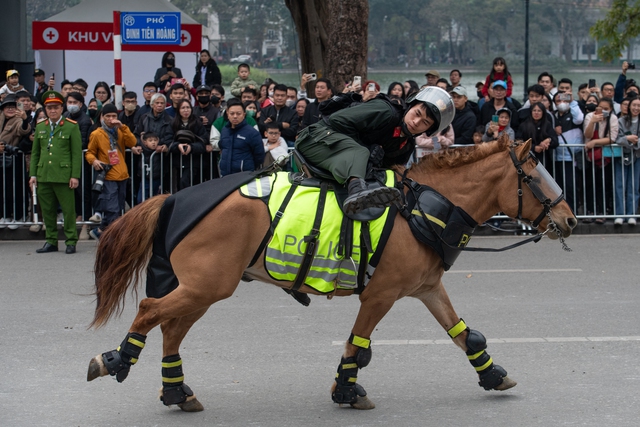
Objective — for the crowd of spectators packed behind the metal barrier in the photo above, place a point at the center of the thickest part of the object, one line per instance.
(181, 132)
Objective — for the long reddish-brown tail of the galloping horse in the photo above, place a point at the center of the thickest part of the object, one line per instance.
(123, 252)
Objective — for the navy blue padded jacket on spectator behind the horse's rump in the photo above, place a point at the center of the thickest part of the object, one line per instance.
(241, 149)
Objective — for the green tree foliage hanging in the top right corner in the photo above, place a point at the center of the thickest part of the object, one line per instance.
(617, 29)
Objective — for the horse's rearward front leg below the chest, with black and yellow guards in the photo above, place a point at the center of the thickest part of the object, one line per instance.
(357, 354)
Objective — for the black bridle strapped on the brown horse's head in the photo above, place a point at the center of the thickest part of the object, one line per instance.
(547, 202)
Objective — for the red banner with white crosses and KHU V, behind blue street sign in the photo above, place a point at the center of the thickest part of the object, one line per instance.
(48, 35)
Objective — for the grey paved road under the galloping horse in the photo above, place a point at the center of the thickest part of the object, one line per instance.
(563, 324)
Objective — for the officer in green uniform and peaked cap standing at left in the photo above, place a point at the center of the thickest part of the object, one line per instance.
(56, 162)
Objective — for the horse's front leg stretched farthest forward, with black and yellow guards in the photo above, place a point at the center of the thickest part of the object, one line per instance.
(472, 342)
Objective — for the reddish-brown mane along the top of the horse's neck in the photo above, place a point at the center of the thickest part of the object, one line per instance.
(461, 156)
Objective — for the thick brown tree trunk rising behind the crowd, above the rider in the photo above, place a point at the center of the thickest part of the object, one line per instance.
(333, 37)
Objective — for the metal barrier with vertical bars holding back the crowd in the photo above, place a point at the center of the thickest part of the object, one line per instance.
(588, 188)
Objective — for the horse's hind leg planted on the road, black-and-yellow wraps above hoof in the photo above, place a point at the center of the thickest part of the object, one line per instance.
(174, 391)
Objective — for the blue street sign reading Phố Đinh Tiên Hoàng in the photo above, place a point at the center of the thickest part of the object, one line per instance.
(149, 28)
